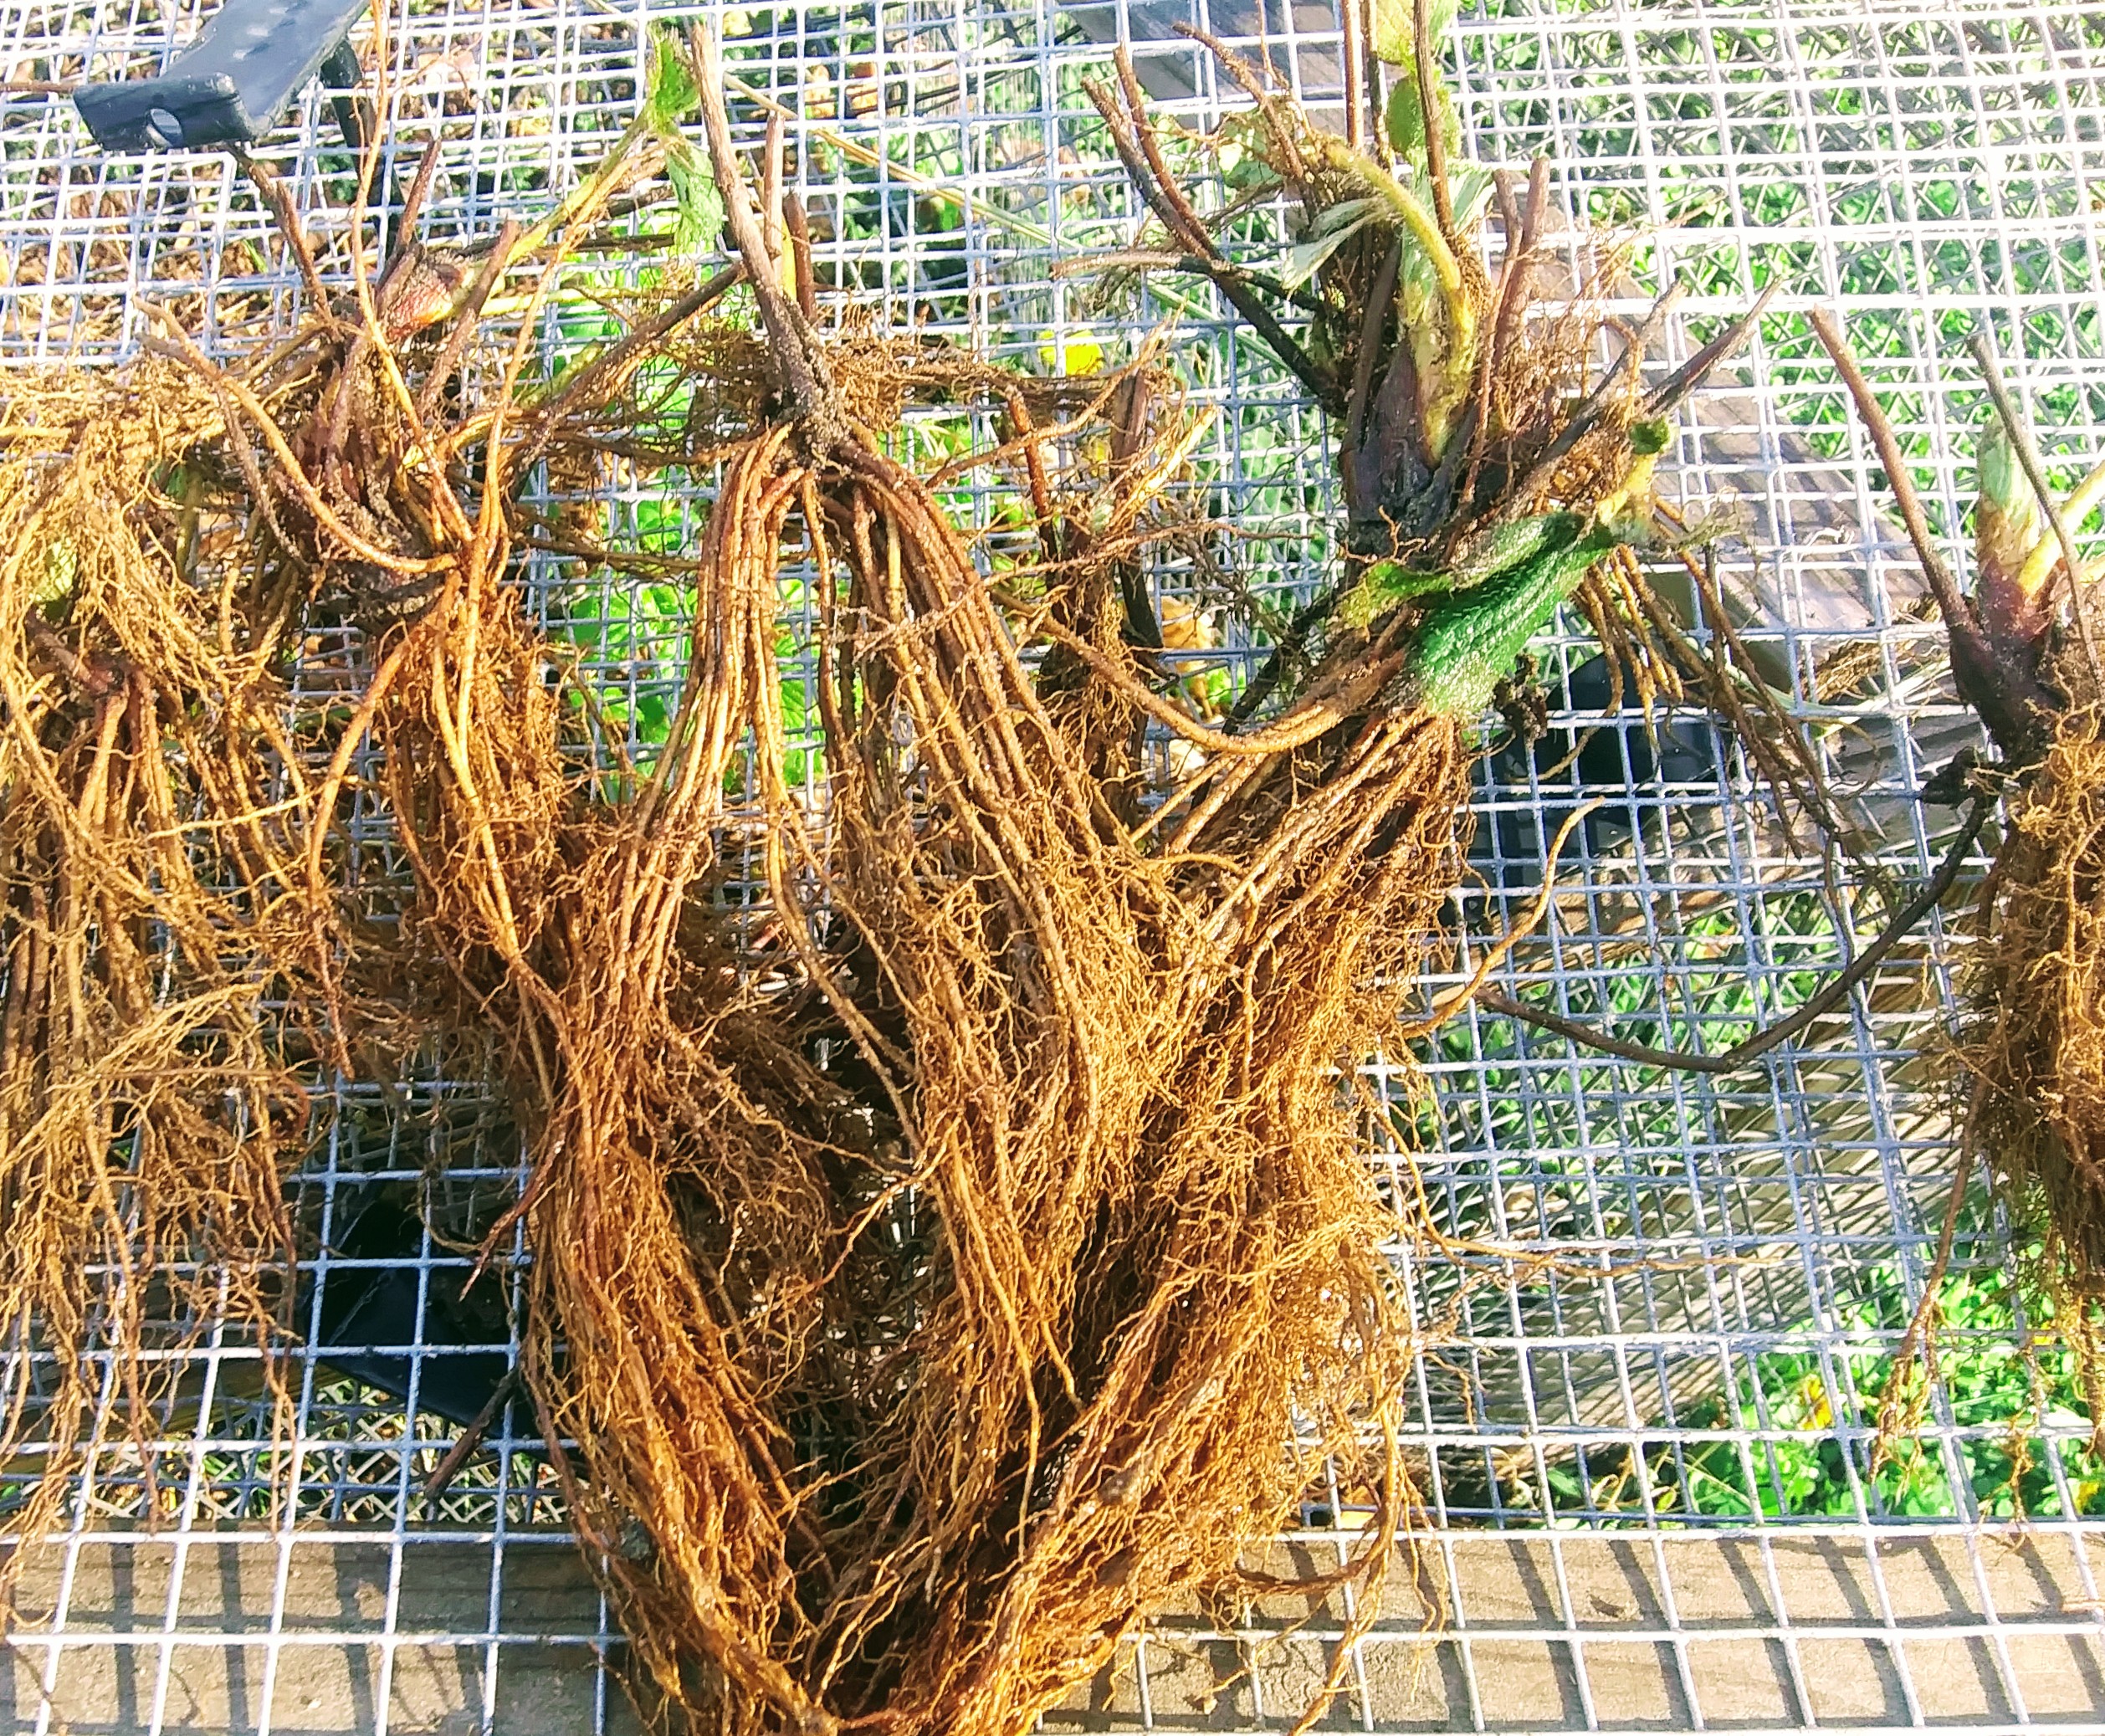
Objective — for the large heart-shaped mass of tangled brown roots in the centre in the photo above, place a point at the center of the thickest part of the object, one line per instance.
(927, 1375)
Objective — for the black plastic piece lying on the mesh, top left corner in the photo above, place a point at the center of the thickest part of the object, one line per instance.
(235, 81)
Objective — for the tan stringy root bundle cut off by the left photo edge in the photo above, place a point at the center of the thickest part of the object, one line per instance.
(146, 1112)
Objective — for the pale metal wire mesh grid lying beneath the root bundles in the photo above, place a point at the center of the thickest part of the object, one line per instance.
(1668, 1304)
